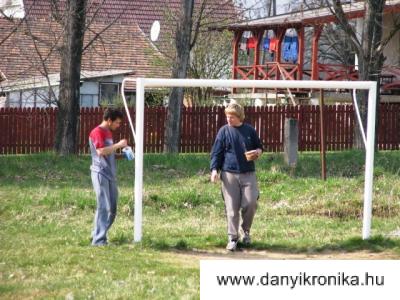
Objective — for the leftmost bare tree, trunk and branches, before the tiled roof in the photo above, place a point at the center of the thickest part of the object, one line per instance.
(63, 42)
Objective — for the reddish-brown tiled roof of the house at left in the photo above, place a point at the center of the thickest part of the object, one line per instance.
(125, 45)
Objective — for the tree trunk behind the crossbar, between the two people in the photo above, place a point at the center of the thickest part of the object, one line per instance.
(183, 40)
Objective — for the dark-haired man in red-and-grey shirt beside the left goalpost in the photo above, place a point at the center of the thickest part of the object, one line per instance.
(103, 173)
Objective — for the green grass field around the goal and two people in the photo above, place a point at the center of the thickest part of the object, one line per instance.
(47, 206)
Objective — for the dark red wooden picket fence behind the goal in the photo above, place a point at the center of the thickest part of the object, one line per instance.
(31, 130)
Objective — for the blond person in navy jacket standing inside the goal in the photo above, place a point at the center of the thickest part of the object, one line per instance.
(236, 147)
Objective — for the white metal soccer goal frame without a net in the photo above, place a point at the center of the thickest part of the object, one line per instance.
(143, 83)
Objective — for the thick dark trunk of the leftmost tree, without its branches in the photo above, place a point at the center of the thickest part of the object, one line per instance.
(71, 57)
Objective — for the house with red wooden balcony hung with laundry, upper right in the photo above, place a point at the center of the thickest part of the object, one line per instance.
(283, 37)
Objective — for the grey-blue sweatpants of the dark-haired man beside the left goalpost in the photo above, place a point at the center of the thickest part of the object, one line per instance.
(106, 196)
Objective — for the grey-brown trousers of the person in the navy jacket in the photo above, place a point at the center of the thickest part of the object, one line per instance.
(240, 193)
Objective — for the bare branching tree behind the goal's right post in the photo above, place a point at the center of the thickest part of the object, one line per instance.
(368, 45)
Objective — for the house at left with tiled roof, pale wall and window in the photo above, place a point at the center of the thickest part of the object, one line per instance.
(30, 62)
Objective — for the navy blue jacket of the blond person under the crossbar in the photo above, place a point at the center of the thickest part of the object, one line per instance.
(231, 143)
